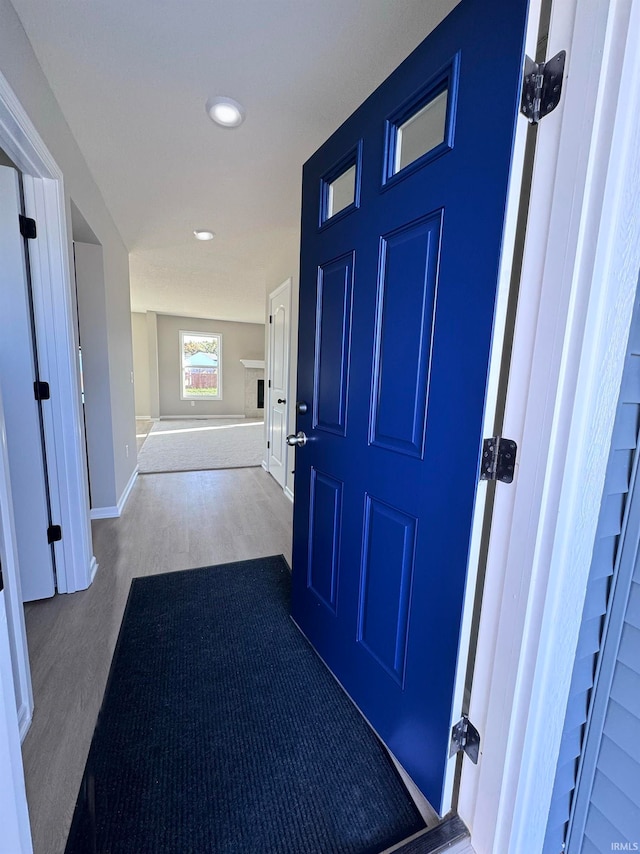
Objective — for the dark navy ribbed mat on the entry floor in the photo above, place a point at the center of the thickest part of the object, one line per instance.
(221, 731)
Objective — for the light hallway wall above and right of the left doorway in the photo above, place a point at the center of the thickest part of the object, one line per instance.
(23, 73)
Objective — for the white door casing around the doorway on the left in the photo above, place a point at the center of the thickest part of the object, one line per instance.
(54, 316)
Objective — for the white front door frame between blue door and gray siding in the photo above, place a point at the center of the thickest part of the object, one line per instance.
(580, 272)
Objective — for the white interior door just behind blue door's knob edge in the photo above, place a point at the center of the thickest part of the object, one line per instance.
(279, 334)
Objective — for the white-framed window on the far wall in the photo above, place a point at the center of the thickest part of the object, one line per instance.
(201, 366)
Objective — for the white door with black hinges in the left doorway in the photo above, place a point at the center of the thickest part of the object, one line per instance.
(21, 413)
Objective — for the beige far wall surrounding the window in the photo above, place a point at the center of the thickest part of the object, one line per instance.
(239, 341)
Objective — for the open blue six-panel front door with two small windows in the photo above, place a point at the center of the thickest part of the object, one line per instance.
(402, 227)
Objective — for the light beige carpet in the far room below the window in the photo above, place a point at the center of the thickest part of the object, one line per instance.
(199, 444)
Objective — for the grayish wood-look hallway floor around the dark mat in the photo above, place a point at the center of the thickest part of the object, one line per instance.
(171, 522)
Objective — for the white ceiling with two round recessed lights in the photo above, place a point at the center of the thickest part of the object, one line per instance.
(132, 78)
